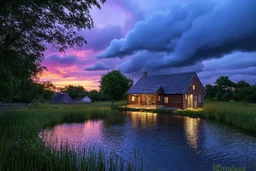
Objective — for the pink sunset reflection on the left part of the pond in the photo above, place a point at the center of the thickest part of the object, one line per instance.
(62, 135)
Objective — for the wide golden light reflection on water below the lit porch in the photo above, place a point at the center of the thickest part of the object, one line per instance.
(143, 118)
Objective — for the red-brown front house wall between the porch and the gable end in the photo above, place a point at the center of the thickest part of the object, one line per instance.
(174, 101)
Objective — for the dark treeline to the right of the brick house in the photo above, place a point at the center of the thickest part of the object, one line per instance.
(226, 90)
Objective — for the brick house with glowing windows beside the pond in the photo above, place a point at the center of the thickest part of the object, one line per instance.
(178, 90)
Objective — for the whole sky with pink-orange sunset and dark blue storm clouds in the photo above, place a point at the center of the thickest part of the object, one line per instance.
(210, 37)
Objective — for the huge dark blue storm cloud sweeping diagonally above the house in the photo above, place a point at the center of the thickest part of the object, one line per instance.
(192, 33)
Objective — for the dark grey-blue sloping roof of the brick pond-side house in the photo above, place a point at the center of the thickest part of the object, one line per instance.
(176, 83)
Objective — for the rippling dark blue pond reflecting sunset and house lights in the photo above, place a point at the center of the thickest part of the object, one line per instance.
(165, 142)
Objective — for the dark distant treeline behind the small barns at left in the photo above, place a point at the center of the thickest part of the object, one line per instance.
(32, 91)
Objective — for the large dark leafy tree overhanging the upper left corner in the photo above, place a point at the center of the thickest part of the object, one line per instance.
(27, 27)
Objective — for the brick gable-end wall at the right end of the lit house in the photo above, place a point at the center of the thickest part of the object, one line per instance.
(198, 90)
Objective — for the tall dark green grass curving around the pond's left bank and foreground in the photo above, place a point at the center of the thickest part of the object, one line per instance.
(22, 149)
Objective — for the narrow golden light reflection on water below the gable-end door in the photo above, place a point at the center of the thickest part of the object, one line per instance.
(191, 130)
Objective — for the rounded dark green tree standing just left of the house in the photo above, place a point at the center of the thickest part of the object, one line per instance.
(113, 85)
